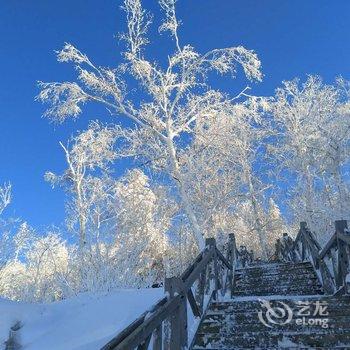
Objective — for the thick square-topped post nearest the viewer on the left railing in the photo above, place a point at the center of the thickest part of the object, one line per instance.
(178, 320)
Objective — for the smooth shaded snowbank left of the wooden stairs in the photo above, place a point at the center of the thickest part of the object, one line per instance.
(85, 322)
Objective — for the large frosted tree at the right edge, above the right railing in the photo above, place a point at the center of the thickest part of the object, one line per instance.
(313, 134)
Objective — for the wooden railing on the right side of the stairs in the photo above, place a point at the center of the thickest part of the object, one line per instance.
(331, 263)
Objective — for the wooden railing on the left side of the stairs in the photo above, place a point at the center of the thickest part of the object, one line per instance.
(165, 325)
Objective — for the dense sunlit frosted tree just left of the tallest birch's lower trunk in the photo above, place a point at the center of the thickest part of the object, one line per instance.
(143, 223)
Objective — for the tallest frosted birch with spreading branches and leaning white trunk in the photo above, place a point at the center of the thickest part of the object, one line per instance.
(174, 94)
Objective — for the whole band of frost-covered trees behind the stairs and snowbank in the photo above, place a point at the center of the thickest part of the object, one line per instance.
(204, 164)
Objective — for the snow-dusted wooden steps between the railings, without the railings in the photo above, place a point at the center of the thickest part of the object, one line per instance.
(235, 323)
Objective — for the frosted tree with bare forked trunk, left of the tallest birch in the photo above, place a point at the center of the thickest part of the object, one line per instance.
(92, 202)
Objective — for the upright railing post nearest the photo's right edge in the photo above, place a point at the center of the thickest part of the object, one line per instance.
(343, 260)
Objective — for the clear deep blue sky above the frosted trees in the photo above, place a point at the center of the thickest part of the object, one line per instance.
(292, 38)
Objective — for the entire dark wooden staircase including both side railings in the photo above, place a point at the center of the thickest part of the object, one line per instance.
(299, 301)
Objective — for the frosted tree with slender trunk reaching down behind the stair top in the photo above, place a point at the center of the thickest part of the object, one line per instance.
(228, 147)
